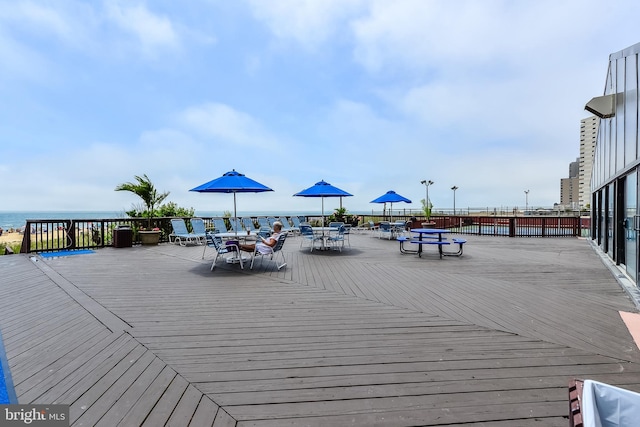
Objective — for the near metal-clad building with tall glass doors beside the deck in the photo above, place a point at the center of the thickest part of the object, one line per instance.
(615, 208)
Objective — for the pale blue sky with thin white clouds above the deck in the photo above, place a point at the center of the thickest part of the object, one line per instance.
(368, 95)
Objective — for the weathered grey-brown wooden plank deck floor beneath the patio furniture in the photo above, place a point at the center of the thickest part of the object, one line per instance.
(150, 336)
